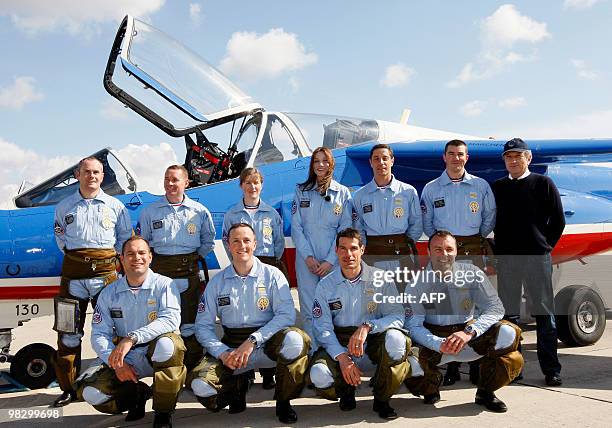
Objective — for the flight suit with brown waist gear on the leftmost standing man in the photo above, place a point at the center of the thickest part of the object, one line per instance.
(90, 232)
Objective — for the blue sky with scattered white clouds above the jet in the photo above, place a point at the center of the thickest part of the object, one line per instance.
(528, 68)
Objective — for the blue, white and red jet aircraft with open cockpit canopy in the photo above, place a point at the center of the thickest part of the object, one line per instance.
(224, 131)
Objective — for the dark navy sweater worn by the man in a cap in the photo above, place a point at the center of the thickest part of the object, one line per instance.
(530, 217)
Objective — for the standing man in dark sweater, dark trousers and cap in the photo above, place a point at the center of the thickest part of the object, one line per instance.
(530, 221)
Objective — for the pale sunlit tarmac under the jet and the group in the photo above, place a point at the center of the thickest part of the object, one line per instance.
(584, 399)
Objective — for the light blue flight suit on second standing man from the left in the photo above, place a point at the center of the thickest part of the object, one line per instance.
(173, 231)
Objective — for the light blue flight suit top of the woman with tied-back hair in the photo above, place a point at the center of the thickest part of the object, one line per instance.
(266, 222)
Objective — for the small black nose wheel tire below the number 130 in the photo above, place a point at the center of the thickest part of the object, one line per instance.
(32, 366)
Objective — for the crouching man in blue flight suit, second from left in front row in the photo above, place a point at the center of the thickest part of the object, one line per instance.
(254, 305)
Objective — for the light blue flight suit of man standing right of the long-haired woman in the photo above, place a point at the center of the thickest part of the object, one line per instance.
(392, 210)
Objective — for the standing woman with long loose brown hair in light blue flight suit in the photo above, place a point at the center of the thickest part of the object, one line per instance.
(321, 208)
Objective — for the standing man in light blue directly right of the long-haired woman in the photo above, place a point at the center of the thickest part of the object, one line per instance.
(388, 214)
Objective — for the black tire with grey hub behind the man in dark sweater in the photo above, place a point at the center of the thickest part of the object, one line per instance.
(582, 319)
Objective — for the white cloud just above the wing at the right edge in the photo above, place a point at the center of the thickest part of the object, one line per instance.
(596, 124)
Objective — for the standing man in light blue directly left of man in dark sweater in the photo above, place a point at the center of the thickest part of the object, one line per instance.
(464, 205)
